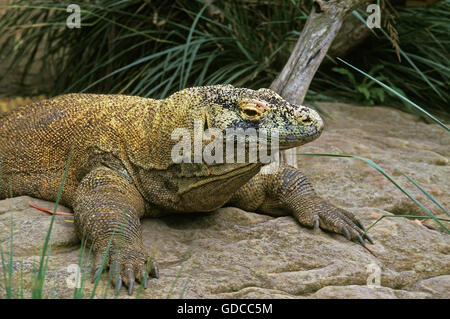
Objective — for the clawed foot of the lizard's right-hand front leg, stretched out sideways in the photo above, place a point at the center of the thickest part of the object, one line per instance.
(336, 220)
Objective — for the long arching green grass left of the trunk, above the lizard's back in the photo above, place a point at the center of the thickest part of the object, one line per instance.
(190, 45)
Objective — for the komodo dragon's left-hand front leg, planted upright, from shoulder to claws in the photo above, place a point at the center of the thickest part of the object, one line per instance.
(107, 209)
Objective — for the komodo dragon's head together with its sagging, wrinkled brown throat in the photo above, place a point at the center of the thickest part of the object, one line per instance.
(201, 163)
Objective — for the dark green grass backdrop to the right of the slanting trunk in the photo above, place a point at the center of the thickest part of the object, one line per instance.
(422, 73)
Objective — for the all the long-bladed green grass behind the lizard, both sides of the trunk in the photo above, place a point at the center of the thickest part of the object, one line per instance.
(151, 49)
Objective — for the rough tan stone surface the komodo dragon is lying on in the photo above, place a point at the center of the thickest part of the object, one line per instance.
(231, 253)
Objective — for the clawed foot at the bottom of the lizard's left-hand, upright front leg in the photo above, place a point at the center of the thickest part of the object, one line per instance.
(126, 265)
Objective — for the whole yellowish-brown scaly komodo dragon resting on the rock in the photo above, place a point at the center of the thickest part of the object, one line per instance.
(121, 167)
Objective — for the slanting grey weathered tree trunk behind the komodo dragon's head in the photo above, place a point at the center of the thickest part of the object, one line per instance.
(321, 28)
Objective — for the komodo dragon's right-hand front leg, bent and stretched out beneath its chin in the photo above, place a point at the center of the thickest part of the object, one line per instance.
(288, 192)
